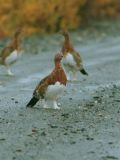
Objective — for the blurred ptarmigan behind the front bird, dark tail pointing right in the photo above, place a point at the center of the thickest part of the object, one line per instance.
(72, 60)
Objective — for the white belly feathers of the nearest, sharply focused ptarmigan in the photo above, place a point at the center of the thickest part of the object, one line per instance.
(54, 91)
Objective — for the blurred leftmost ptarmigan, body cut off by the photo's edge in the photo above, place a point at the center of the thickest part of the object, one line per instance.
(10, 53)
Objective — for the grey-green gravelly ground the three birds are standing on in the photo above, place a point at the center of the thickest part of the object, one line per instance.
(88, 125)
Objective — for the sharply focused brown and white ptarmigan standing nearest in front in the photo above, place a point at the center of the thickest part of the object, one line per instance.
(50, 87)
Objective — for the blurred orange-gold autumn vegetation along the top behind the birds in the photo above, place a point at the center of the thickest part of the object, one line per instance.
(41, 16)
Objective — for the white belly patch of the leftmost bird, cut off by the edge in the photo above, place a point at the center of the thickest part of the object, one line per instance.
(12, 57)
